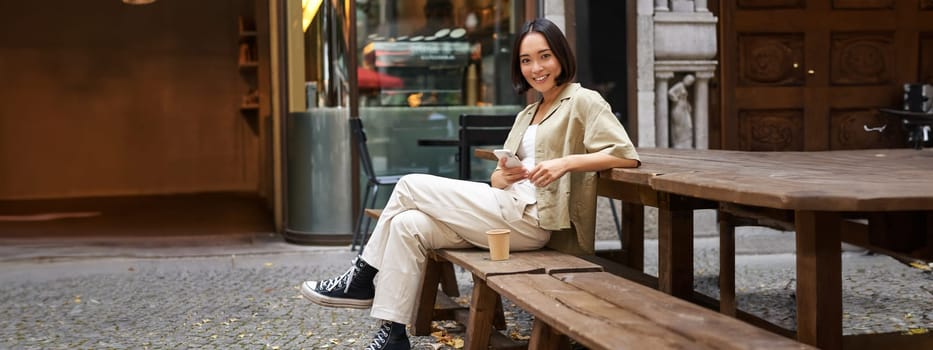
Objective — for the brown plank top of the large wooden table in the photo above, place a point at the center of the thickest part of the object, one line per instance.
(856, 180)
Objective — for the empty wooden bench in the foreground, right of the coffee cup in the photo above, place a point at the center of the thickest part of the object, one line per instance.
(604, 311)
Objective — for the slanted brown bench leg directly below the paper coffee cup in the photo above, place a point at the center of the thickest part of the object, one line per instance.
(482, 313)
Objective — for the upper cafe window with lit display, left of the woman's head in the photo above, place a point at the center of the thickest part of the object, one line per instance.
(436, 52)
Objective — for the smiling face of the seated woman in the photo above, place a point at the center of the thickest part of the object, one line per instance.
(539, 65)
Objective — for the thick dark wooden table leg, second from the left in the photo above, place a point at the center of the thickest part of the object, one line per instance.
(675, 245)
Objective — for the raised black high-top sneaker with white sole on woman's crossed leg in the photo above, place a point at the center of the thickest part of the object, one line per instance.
(354, 289)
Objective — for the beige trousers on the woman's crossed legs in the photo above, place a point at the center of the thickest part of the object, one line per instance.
(427, 212)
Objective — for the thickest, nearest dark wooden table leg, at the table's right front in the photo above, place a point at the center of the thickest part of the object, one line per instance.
(819, 279)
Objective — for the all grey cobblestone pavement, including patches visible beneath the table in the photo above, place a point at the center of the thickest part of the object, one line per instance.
(245, 295)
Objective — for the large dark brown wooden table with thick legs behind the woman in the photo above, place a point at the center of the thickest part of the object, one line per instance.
(822, 192)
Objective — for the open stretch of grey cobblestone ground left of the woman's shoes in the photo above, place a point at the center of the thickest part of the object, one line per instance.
(232, 302)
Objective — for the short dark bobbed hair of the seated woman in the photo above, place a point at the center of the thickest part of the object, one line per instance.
(559, 46)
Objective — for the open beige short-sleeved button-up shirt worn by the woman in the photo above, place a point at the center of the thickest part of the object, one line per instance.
(580, 122)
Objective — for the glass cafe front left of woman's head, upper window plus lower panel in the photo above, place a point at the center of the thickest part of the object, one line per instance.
(424, 62)
